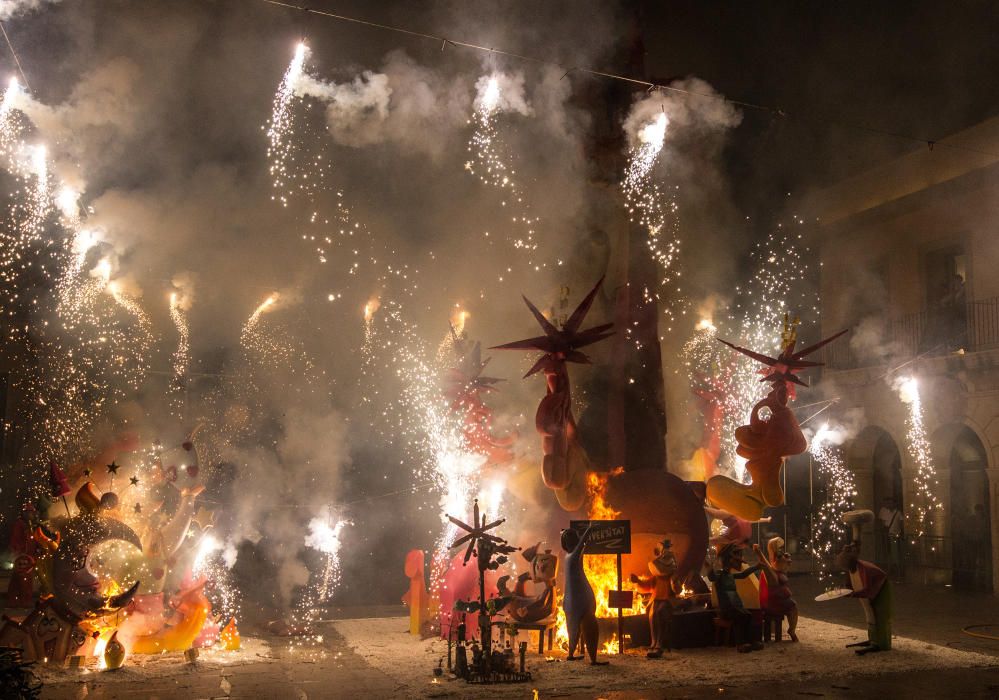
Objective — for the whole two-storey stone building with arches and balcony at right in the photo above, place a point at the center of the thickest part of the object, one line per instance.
(910, 261)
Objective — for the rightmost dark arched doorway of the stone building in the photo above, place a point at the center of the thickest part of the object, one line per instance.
(970, 524)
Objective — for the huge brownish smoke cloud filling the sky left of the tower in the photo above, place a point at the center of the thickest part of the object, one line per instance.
(161, 133)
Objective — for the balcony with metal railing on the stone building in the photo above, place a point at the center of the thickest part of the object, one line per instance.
(968, 327)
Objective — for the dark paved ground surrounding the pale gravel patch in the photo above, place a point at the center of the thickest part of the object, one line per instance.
(332, 670)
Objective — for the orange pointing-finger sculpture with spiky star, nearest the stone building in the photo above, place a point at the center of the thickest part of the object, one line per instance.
(771, 436)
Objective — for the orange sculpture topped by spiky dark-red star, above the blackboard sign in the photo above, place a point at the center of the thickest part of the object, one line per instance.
(565, 462)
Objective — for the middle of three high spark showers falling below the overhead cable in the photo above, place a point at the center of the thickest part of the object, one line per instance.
(490, 166)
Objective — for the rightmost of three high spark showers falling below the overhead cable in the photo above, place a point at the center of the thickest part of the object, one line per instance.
(655, 211)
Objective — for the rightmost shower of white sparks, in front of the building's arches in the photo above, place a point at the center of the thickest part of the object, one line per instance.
(923, 501)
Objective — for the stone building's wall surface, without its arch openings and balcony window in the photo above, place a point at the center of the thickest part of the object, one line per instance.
(877, 232)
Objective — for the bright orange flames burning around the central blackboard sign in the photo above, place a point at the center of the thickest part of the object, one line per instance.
(601, 569)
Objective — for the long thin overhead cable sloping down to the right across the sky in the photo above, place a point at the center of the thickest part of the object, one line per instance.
(648, 85)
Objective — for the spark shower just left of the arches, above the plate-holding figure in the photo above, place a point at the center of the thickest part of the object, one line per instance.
(828, 530)
